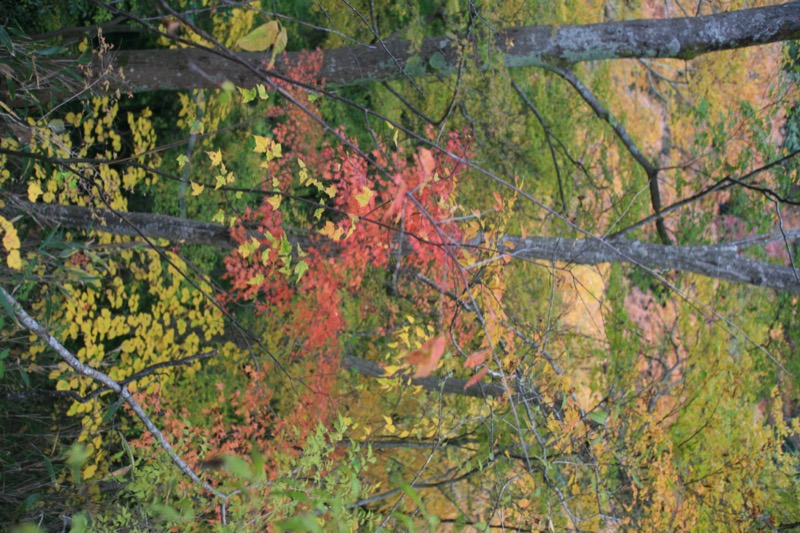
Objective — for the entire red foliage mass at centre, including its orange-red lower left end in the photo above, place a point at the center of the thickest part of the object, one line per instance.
(369, 201)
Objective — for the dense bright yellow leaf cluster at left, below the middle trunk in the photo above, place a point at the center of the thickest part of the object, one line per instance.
(125, 326)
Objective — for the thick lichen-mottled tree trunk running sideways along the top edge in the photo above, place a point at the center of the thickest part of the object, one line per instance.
(542, 46)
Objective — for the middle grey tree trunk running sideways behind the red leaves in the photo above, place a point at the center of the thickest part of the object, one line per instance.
(714, 261)
